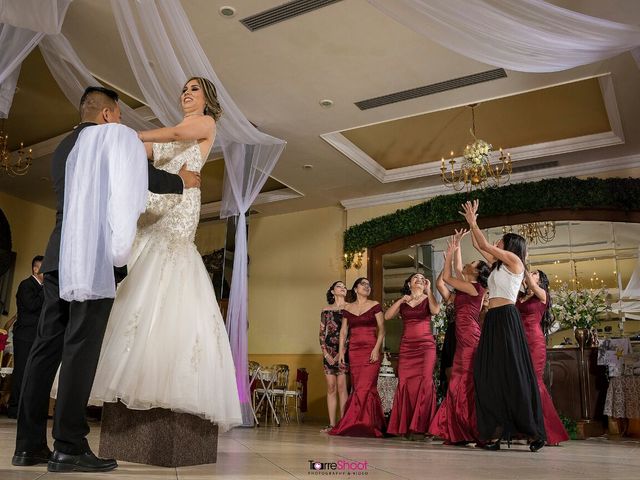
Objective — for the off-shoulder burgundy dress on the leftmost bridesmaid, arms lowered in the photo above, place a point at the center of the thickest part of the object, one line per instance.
(363, 414)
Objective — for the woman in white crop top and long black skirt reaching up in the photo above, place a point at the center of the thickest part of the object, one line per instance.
(507, 396)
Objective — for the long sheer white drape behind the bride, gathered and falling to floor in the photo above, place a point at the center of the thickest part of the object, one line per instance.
(164, 52)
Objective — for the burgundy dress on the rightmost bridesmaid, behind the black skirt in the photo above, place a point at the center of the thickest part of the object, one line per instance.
(531, 312)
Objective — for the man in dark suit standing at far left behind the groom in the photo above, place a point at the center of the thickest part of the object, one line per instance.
(29, 299)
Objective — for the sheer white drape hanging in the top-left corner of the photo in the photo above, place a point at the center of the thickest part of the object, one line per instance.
(22, 26)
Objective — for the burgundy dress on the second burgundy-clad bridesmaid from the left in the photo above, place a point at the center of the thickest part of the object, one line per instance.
(414, 403)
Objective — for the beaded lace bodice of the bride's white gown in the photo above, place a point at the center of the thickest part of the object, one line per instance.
(174, 216)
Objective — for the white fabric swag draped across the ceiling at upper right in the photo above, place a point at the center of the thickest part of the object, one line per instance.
(520, 35)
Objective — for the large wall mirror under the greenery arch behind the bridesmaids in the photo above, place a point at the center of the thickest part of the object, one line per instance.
(593, 253)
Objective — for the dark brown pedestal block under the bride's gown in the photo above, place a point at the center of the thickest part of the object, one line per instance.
(157, 437)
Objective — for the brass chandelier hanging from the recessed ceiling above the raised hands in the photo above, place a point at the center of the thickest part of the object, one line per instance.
(477, 169)
